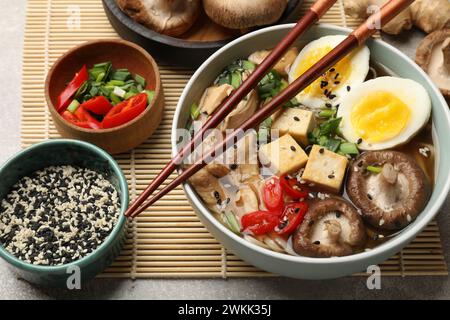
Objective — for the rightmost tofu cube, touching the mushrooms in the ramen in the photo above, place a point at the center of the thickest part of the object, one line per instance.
(325, 169)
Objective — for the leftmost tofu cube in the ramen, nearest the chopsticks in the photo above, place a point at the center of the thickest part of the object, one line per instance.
(283, 155)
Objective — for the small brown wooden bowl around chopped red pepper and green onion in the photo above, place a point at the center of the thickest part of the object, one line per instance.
(122, 54)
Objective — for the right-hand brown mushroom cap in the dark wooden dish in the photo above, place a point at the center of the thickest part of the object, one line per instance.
(244, 13)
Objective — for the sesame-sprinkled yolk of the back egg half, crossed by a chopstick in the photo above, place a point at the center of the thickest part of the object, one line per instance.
(331, 80)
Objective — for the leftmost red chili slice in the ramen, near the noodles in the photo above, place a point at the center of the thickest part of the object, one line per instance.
(259, 222)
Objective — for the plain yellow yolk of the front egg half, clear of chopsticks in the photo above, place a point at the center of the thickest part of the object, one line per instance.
(379, 116)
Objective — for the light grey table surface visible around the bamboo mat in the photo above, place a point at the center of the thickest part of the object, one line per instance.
(12, 18)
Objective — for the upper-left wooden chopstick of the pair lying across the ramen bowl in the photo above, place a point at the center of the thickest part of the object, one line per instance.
(312, 15)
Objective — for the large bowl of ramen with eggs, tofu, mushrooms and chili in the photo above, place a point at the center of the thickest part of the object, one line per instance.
(340, 178)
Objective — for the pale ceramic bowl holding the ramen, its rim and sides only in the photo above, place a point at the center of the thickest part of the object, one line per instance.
(318, 268)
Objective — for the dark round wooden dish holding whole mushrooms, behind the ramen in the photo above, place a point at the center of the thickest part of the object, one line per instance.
(192, 48)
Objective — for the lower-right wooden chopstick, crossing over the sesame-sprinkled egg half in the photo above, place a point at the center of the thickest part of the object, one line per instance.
(356, 38)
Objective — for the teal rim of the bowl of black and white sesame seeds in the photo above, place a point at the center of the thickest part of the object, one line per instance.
(105, 246)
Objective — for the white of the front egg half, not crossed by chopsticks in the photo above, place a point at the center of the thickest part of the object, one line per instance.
(410, 92)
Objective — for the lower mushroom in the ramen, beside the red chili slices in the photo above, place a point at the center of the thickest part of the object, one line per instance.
(331, 228)
